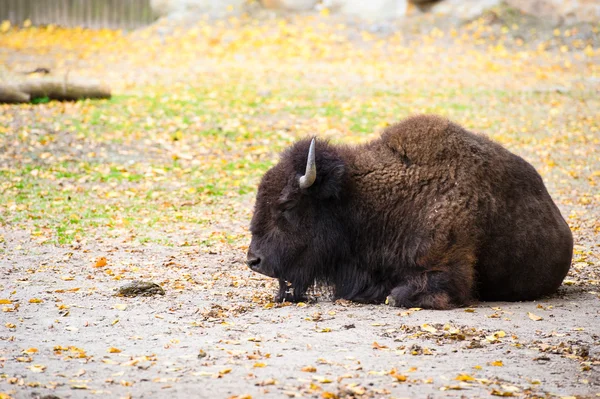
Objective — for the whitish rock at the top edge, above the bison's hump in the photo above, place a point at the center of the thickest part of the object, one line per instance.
(373, 9)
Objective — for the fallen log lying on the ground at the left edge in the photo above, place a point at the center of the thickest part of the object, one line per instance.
(53, 89)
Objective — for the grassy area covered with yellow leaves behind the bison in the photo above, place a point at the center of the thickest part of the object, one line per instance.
(186, 158)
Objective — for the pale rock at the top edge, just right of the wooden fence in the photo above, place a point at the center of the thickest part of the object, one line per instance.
(177, 8)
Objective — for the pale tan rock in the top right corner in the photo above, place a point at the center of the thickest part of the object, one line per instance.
(560, 11)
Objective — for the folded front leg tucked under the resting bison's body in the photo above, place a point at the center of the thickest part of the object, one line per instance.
(433, 290)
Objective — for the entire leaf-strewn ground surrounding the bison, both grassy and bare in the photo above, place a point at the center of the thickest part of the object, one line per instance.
(216, 333)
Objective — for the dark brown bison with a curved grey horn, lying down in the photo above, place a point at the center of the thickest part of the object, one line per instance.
(428, 215)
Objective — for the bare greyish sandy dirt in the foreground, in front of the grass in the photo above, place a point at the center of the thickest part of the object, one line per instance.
(206, 338)
